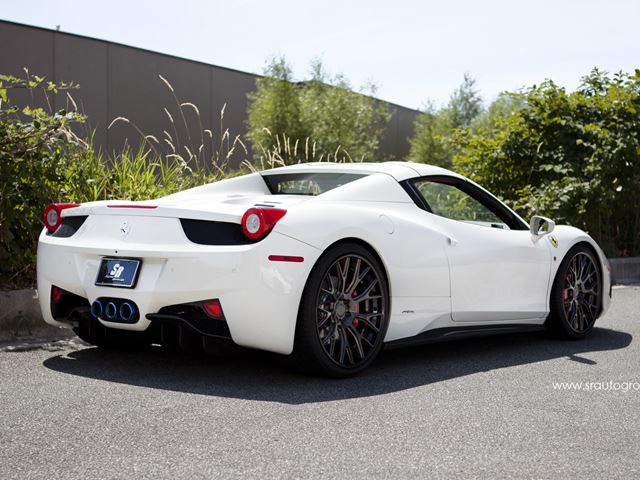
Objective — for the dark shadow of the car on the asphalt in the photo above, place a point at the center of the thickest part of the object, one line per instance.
(255, 375)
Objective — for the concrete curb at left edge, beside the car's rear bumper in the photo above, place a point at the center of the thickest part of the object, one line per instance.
(20, 317)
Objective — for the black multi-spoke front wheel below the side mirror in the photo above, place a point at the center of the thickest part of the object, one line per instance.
(576, 295)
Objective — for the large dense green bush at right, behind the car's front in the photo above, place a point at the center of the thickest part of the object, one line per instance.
(571, 156)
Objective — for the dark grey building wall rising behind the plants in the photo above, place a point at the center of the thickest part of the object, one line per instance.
(121, 81)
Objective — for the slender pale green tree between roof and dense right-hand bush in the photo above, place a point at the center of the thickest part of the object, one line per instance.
(431, 142)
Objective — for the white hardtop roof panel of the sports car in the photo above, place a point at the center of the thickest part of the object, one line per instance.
(398, 170)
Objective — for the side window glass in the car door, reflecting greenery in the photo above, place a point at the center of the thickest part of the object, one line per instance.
(448, 201)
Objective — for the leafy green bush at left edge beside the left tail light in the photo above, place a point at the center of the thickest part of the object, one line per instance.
(33, 145)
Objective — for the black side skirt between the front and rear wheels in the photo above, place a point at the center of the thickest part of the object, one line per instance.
(456, 333)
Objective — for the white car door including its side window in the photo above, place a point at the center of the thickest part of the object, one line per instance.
(498, 270)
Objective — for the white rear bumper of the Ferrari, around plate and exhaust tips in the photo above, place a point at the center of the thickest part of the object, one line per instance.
(259, 297)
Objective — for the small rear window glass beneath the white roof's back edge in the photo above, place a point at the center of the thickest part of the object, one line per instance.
(307, 183)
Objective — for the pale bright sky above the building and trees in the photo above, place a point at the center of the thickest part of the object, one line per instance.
(414, 51)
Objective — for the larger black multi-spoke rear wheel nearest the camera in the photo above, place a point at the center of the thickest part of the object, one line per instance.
(344, 313)
